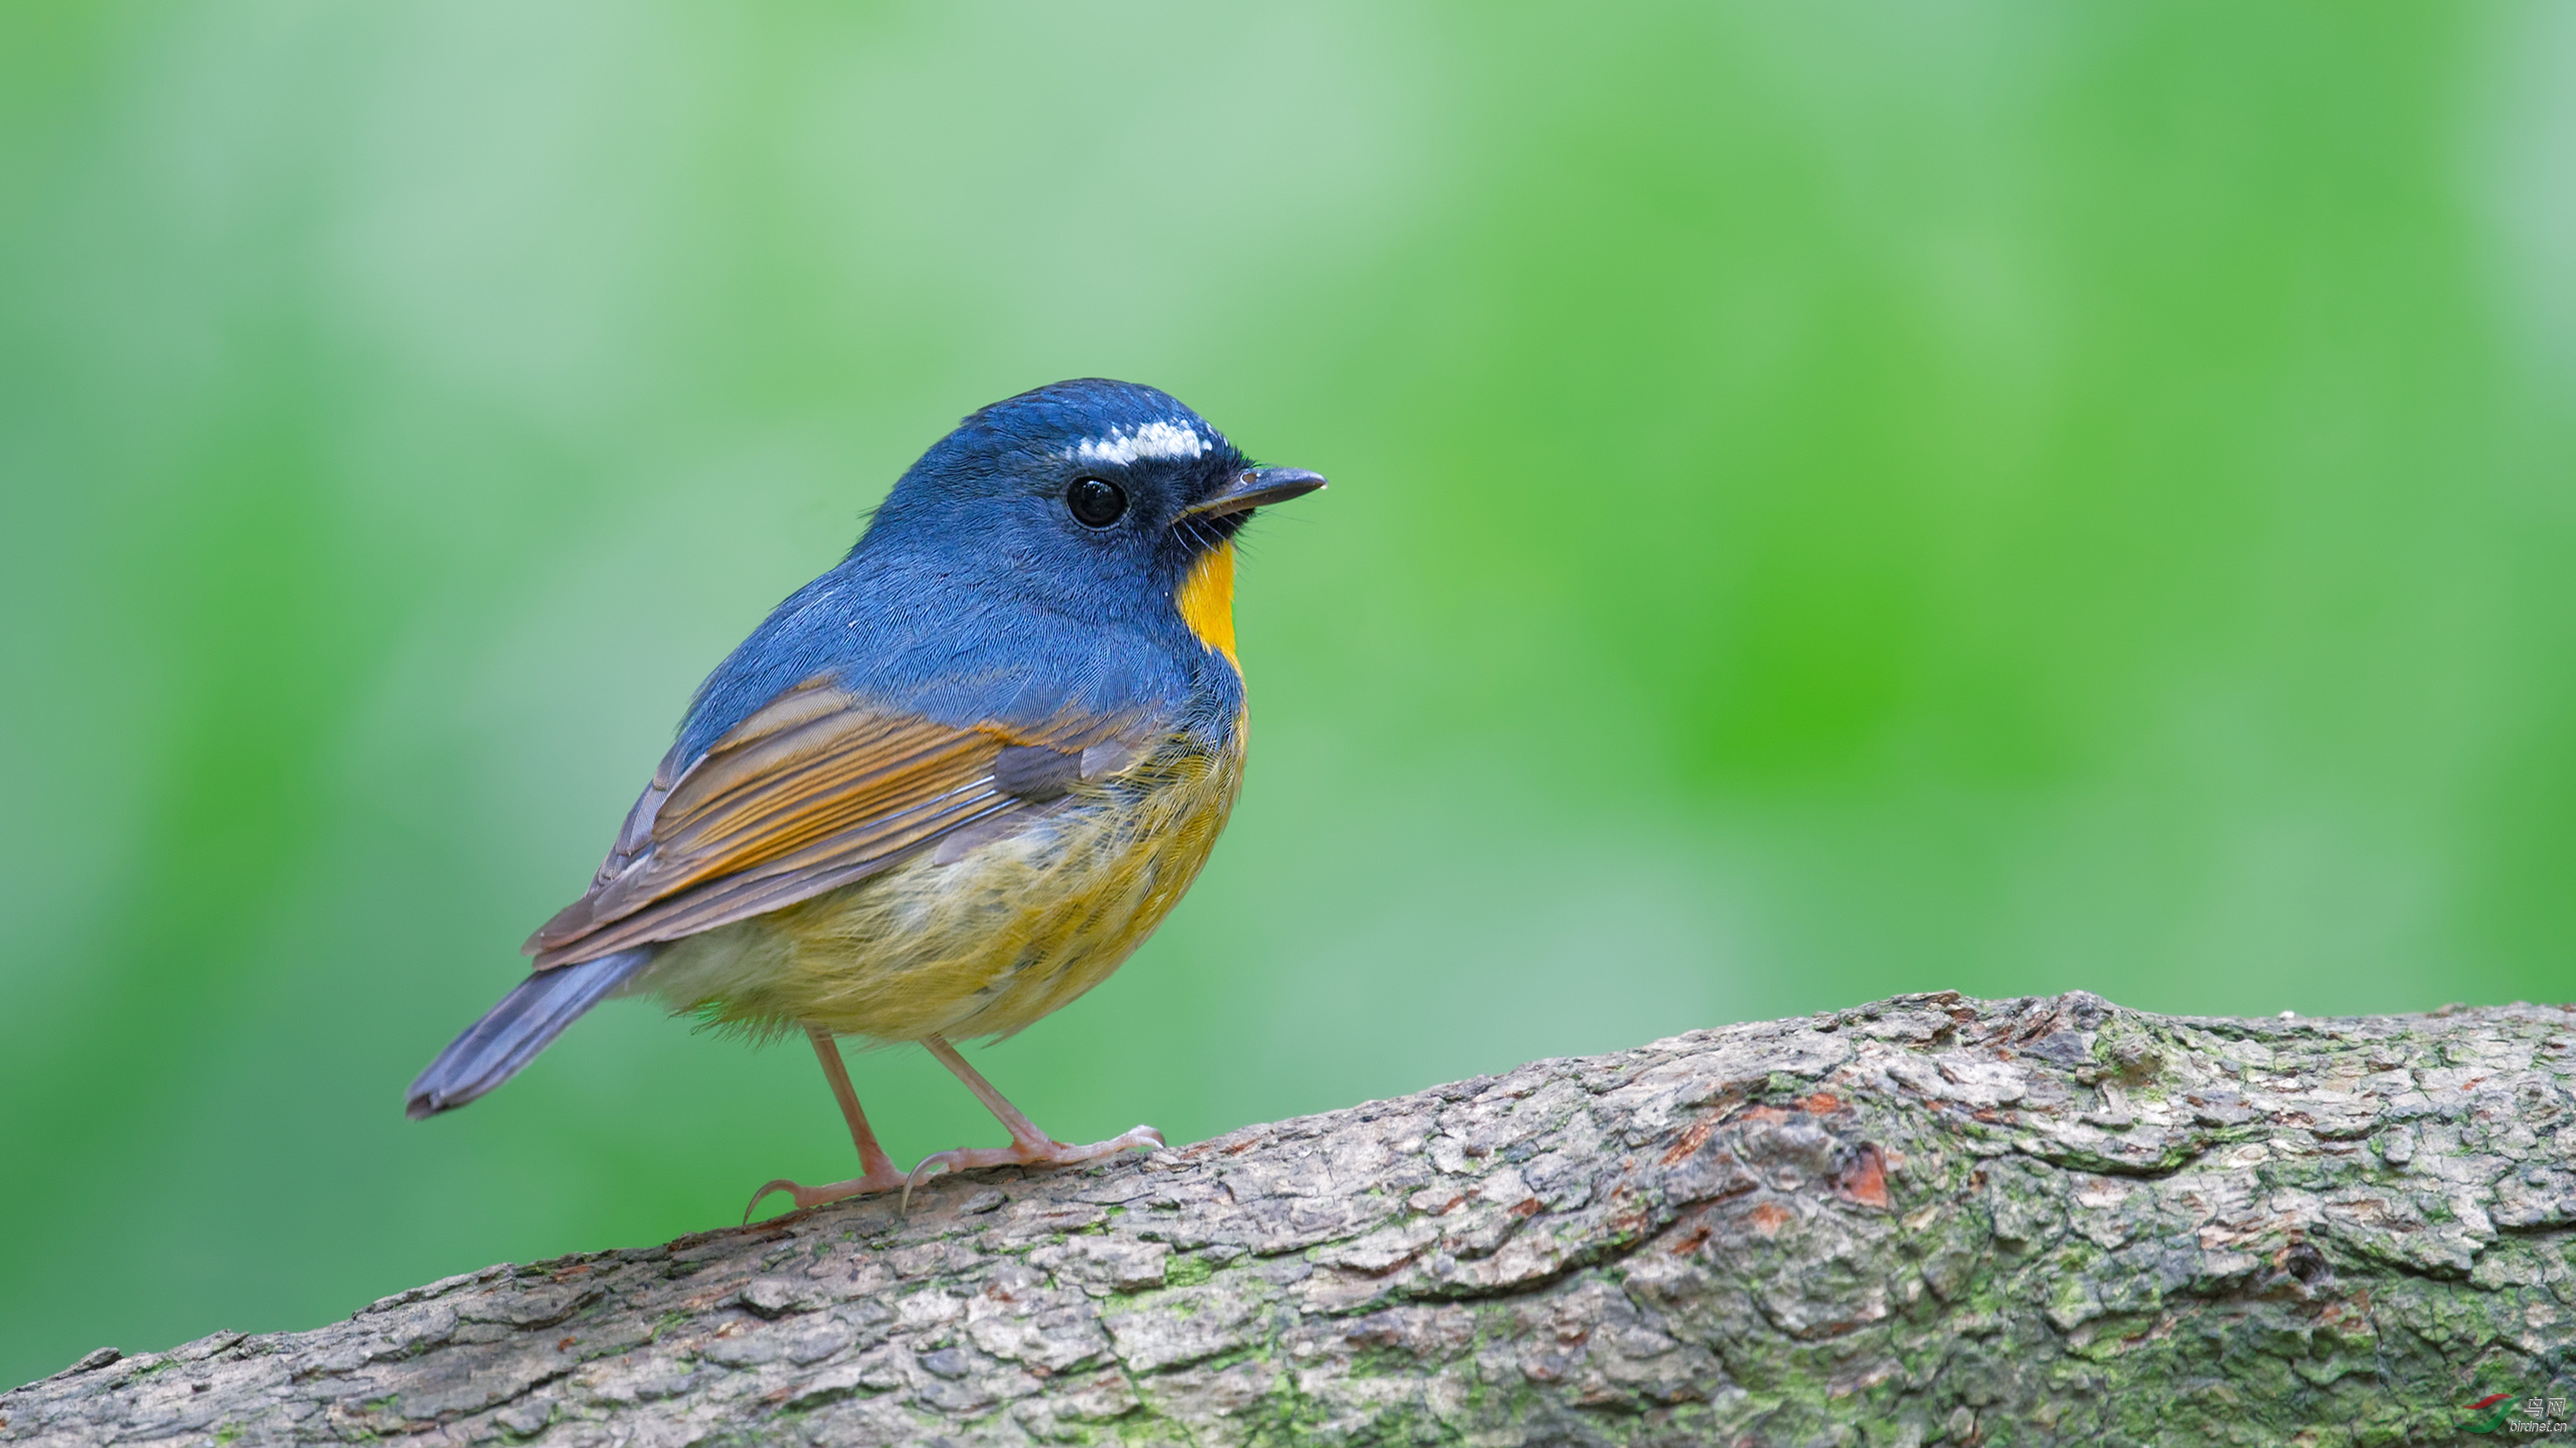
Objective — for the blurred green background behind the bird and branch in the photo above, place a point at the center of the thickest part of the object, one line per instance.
(1828, 501)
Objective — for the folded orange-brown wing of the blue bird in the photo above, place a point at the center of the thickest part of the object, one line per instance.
(808, 795)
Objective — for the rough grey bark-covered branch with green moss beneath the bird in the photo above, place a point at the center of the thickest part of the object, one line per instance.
(1931, 1220)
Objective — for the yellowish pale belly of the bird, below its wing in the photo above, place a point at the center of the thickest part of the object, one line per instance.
(983, 944)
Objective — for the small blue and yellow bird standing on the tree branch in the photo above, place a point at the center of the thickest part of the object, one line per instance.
(947, 787)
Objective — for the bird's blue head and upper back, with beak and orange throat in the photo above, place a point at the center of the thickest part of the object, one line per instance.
(1052, 553)
